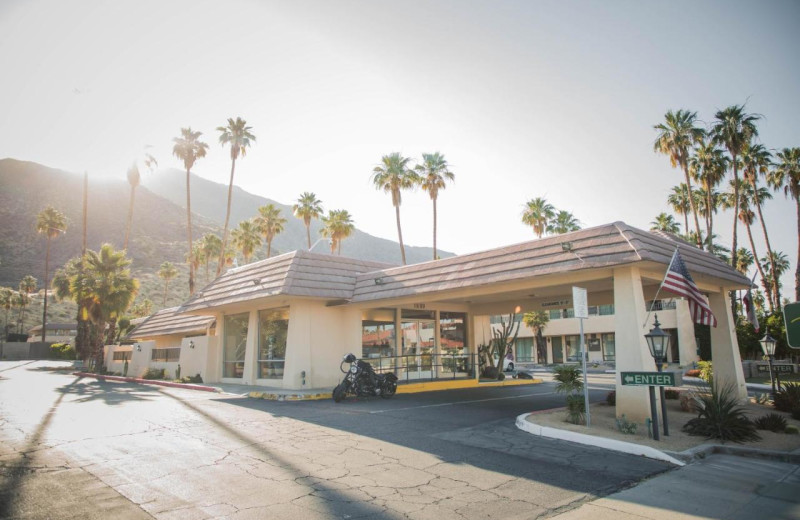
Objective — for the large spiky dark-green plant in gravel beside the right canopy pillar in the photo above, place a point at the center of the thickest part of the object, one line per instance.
(720, 417)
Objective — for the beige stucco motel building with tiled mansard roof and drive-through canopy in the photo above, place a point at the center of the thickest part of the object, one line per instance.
(286, 322)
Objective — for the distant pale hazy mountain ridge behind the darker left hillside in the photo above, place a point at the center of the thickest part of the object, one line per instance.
(209, 200)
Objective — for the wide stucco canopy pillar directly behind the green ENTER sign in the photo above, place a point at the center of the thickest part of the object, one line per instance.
(631, 347)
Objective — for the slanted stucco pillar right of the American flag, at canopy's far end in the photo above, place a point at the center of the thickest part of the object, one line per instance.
(727, 362)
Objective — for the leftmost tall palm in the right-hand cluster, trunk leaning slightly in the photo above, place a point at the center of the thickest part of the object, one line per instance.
(677, 135)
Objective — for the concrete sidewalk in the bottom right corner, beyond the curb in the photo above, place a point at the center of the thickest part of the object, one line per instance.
(722, 487)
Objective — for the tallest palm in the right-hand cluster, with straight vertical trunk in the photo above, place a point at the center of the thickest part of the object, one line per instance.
(733, 129)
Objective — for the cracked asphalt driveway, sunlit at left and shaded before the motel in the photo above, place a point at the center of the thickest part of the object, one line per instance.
(79, 448)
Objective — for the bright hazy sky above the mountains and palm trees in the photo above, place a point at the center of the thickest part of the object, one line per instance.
(525, 99)
